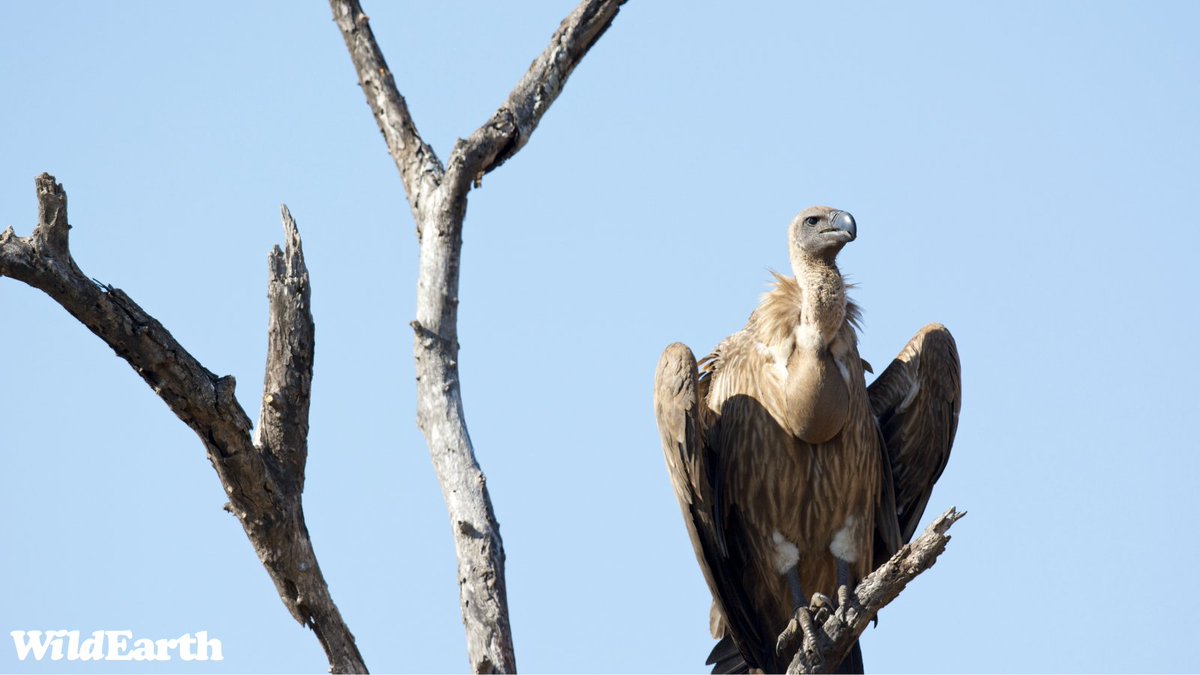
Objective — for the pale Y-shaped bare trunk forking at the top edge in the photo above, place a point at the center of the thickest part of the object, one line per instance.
(437, 198)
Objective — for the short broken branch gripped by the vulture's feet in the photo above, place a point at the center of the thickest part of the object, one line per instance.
(826, 641)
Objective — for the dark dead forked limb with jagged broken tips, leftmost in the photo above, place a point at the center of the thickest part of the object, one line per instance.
(263, 481)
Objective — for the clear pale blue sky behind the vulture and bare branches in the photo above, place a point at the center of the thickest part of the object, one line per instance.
(1024, 172)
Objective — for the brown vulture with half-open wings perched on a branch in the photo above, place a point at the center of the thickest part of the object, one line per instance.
(794, 476)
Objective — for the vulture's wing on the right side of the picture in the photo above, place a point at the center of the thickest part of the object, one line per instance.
(916, 401)
